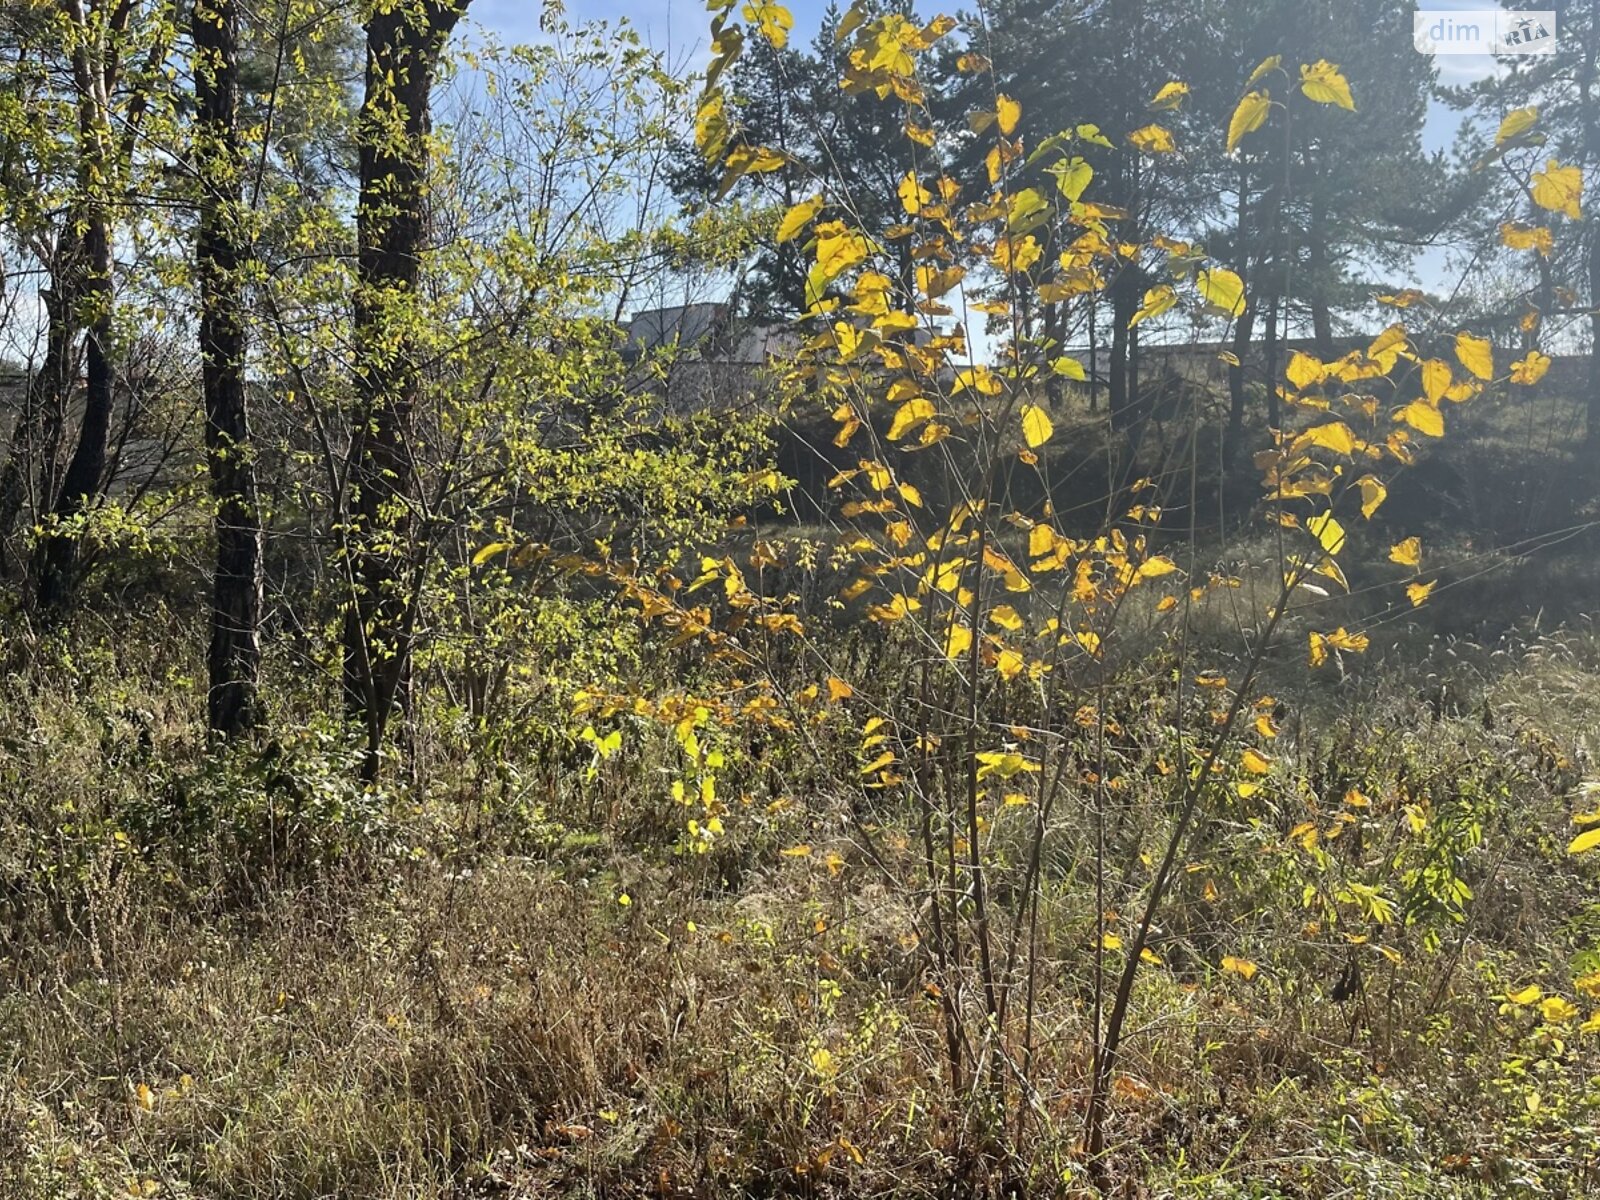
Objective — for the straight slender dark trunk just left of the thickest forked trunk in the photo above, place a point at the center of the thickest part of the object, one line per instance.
(234, 660)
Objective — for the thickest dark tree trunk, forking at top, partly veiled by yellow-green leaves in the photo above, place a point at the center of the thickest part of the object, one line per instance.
(404, 42)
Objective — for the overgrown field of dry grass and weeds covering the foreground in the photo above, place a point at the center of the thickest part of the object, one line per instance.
(246, 977)
